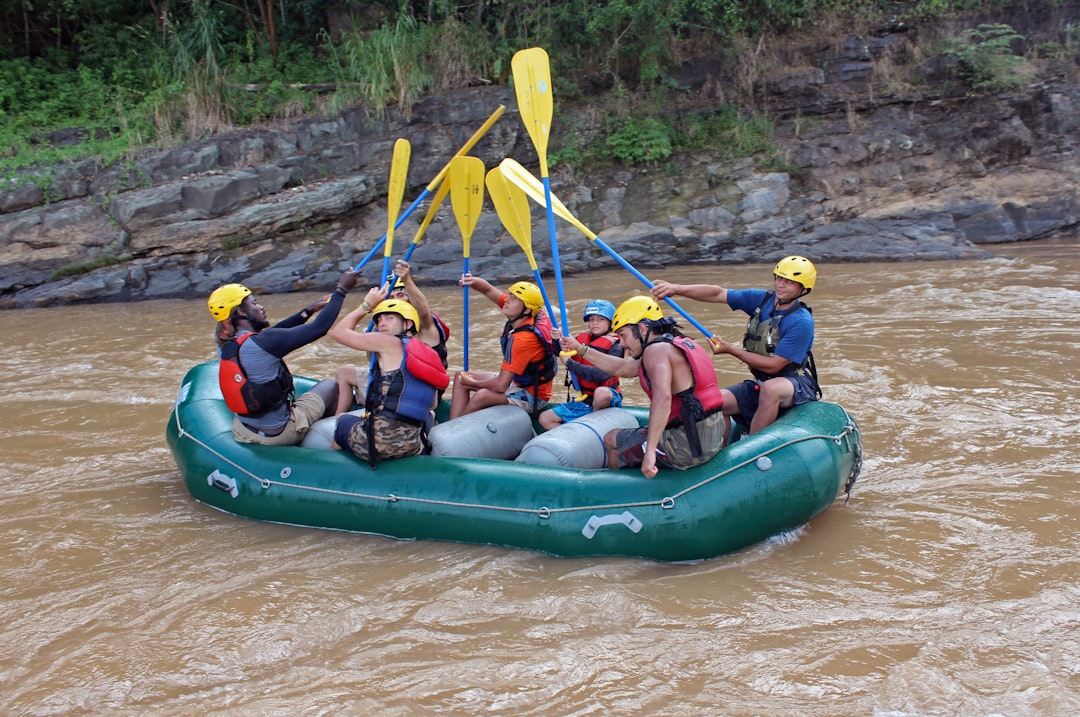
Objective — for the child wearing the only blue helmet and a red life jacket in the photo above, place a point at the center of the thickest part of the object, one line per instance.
(597, 388)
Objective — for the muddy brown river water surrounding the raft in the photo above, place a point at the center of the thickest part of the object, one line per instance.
(950, 585)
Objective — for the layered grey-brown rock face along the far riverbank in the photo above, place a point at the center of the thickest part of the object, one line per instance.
(875, 177)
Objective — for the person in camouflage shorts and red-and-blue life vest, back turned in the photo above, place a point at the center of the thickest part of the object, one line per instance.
(406, 380)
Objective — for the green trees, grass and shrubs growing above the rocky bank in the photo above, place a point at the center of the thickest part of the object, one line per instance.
(104, 79)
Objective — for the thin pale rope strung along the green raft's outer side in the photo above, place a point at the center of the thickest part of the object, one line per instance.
(847, 438)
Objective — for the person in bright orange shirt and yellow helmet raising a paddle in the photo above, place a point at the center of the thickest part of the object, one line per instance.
(529, 361)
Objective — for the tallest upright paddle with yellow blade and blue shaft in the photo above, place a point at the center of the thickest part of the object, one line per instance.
(533, 87)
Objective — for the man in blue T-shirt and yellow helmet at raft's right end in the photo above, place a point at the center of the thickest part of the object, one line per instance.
(776, 347)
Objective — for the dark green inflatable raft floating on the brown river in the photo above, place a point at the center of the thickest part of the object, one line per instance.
(763, 485)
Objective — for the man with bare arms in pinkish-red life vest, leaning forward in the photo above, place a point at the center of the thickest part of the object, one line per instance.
(686, 423)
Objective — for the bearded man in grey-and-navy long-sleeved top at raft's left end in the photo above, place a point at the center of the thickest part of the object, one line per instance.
(255, 382)
